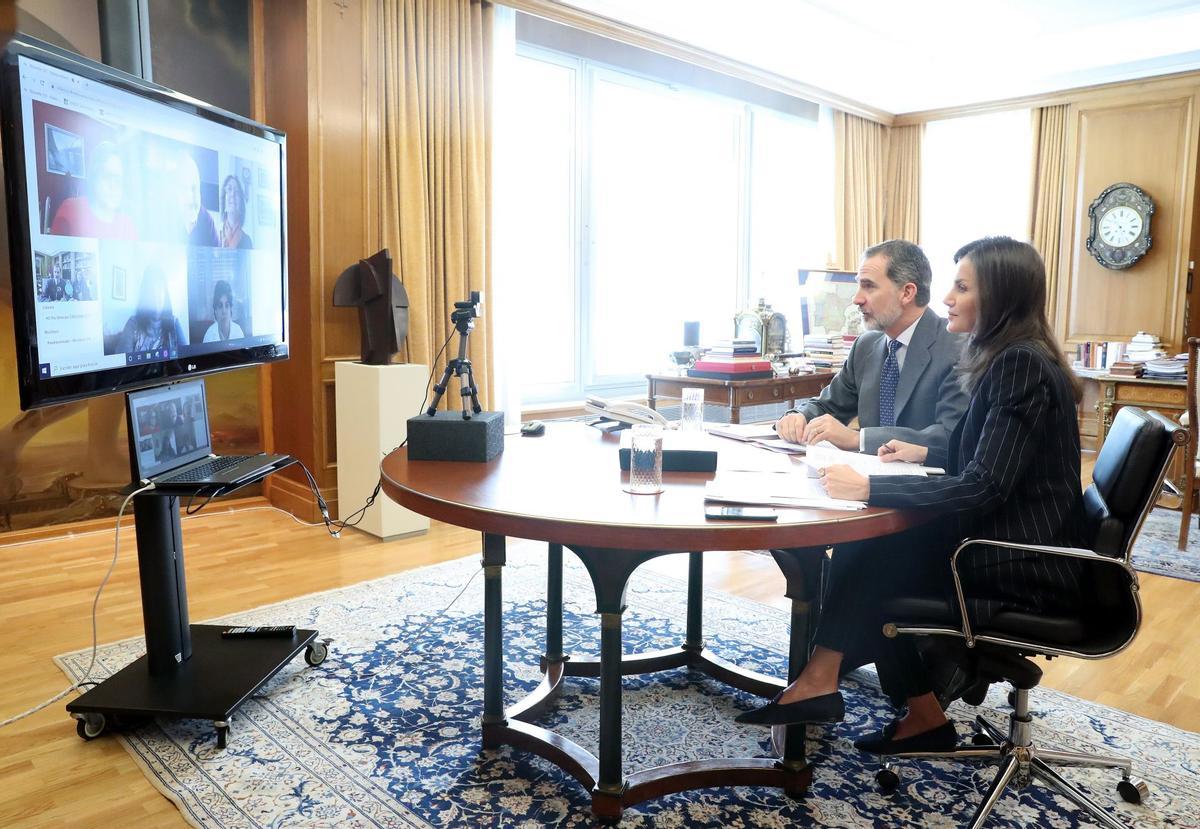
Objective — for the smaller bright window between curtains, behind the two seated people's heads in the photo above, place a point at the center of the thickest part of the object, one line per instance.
(976, 182)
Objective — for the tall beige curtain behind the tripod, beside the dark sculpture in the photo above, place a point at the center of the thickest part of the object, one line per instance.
(437, 171)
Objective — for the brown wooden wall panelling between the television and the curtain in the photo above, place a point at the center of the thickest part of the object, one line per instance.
(322, 86)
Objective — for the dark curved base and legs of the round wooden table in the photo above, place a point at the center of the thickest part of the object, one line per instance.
(613, 790)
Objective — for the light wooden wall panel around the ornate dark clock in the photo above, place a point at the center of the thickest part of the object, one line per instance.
(1149, 141)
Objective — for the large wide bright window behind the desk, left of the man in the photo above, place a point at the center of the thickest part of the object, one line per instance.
(635, 206)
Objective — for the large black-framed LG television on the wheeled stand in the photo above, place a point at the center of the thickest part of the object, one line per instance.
(147, 231)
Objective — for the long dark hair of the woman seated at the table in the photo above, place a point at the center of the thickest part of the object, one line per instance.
(1011, 281)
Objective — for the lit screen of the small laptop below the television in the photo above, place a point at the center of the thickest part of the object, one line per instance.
(171, 426)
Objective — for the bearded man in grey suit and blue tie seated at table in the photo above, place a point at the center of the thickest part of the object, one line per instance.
(899, 379)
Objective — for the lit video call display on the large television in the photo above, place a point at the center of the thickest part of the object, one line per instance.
(155, 233)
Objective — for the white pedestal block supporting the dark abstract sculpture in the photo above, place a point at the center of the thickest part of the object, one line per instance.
(374, 407)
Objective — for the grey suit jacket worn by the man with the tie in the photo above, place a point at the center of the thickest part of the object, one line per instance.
(929, 400)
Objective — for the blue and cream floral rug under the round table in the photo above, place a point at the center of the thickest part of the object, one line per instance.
(386, 732)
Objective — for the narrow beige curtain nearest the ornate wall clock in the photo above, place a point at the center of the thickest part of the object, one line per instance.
(1049, 185)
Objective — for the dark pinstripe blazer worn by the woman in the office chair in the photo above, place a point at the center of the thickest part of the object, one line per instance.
(1013, 476)
